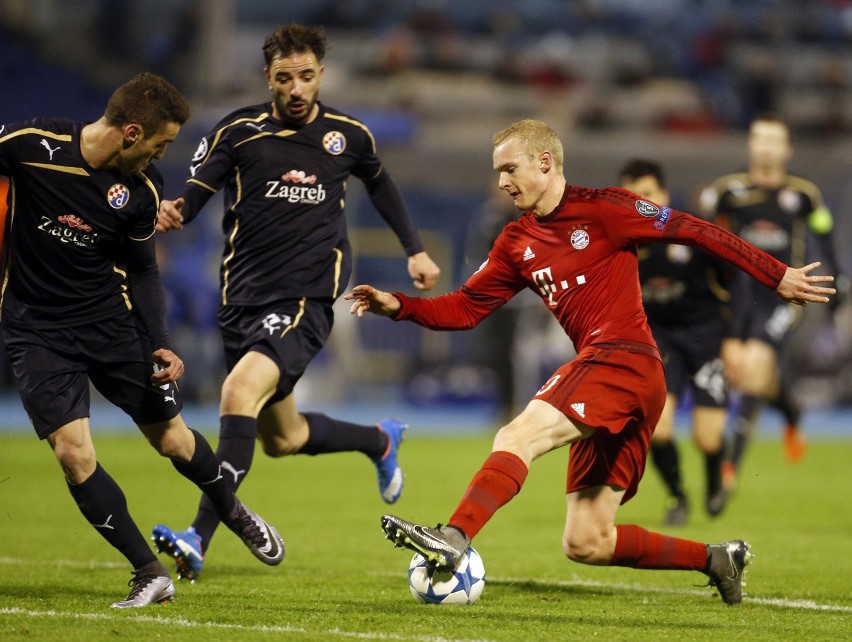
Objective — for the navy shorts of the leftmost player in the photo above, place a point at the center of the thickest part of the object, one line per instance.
(53, 368)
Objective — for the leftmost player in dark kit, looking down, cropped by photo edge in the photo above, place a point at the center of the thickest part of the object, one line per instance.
(82, 302)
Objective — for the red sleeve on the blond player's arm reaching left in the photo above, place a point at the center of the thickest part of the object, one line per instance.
(494, 283)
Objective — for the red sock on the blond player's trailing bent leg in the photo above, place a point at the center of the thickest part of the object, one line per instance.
(639, 548)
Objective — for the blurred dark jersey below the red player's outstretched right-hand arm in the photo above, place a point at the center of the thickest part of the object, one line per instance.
(681, 285)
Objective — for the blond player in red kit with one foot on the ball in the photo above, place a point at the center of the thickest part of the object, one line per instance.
(576, 248)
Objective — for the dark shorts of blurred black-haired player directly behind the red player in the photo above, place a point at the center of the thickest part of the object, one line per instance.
(691, 357)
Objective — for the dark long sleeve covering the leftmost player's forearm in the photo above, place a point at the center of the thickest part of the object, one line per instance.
(146, 291)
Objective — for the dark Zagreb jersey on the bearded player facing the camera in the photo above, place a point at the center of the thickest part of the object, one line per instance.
(284, 190)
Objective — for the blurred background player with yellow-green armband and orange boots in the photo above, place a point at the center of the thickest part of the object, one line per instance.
(780, 214)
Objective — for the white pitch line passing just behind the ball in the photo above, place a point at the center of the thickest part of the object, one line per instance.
(779, 602)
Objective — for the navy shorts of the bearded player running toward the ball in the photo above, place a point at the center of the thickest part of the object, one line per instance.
(290, 332)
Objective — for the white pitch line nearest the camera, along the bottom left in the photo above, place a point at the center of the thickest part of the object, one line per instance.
(191, 624)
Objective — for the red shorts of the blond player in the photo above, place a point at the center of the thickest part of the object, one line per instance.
(618, 388)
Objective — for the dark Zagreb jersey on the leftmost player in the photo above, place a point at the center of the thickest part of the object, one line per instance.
(69, 226)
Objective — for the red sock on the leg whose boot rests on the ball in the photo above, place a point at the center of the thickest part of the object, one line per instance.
(499, 479)
